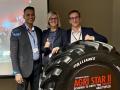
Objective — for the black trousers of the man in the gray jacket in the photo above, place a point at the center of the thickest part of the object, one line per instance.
(33, 79)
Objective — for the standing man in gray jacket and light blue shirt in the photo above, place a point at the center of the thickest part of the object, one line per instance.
(25, 48)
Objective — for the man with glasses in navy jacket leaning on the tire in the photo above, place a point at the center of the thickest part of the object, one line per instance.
(81, 33)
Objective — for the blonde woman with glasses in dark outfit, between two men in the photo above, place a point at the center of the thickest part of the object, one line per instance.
(53, 38)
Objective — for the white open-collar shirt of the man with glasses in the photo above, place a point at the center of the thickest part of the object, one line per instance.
(75, 36)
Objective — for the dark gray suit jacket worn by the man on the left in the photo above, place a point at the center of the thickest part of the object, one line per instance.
(21, 50)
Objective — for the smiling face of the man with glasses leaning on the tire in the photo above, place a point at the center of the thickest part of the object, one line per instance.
(74, 19)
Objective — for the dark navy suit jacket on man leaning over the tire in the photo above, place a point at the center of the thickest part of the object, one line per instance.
(90, 32)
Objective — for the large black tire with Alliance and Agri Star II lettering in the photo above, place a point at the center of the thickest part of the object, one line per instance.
(84, 65)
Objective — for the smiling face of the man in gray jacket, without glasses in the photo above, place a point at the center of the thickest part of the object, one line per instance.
(29, 16)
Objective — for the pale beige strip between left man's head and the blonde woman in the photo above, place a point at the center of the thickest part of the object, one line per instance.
(41, 12)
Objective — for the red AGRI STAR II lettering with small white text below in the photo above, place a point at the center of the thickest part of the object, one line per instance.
(98, 82)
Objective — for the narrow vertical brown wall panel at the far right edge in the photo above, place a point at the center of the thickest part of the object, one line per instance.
(116, 24)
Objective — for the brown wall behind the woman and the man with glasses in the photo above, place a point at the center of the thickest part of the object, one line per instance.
(102, 15)
